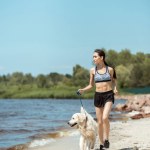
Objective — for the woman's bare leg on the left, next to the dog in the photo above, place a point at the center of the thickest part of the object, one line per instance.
(99, 115)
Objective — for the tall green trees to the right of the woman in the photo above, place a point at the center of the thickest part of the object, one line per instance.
(133, 70)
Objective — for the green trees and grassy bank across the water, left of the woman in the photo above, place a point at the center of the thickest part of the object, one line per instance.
(53, 85)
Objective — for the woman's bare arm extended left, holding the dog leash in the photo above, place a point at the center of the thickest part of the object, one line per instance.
(91, 82)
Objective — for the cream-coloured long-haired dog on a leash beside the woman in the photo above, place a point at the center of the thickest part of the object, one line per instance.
(87, 127)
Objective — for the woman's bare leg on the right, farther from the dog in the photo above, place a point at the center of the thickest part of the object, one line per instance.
(105, 118)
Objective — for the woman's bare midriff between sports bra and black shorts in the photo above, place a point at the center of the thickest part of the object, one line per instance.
(103, 86)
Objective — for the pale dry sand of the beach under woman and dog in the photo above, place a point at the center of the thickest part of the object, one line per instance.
(124, 135)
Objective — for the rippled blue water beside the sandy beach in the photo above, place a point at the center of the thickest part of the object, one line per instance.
(22, 121)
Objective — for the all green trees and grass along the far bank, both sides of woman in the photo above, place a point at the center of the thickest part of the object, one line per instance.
(133, 71)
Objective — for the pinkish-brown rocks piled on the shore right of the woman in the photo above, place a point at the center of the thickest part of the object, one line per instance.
(137, 106)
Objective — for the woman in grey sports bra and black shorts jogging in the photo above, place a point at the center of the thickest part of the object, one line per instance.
(104, 77)
